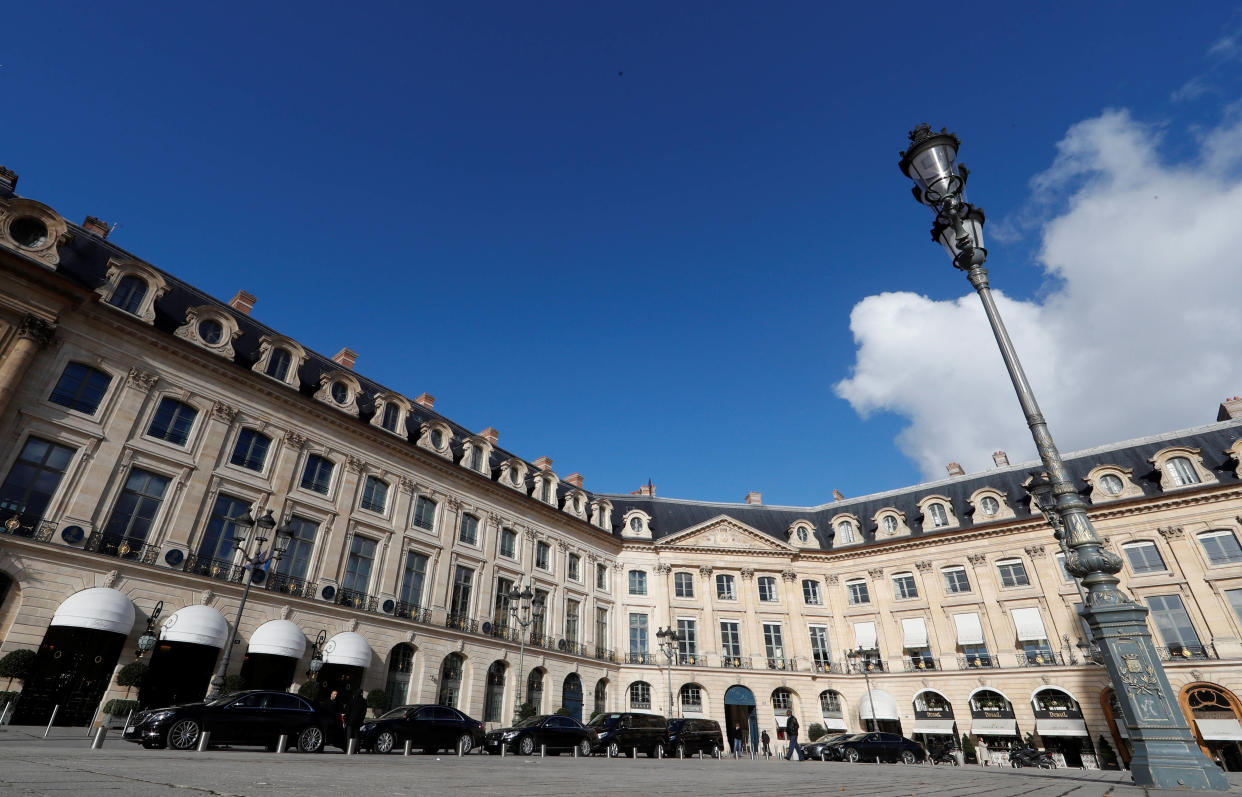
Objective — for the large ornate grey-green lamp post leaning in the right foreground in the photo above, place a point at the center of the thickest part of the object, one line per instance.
(1166, 753)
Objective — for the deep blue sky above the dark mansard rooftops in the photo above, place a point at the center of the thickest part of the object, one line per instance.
(629, 236)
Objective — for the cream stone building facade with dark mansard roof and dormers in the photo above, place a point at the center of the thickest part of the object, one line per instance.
(142, 418)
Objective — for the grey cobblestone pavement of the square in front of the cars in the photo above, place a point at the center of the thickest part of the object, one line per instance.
(65, 765)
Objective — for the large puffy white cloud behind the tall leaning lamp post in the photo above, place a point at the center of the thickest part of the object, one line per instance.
(1138, 336)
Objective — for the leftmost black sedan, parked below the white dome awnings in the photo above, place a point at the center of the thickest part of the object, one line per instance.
(243, 718)
